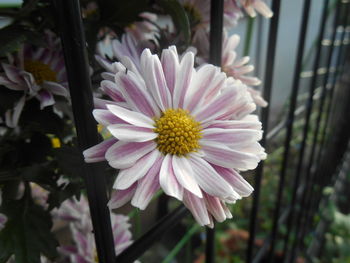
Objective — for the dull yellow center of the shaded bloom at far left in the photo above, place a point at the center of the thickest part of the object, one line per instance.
(40, 71)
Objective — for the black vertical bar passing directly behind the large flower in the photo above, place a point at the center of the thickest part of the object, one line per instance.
(215, 38)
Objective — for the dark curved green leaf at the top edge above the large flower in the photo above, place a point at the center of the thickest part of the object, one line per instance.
(179, 17)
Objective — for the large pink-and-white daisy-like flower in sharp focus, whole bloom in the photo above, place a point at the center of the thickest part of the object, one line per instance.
(187, 131)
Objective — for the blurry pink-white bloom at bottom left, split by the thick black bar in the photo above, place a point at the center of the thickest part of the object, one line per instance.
(78, 215)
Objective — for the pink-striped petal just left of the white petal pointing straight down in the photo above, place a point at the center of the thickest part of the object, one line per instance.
(147, 186)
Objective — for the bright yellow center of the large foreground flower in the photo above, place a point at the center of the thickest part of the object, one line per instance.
(178, 132)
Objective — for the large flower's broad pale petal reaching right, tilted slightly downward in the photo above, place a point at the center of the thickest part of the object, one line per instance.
(222, 155)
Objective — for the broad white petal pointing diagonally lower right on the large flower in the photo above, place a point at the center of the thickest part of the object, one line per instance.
(208, 179)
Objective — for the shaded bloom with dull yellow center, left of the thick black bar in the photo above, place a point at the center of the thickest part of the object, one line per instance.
(37, 72)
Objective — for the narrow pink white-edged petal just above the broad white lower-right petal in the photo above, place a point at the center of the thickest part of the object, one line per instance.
(238, 183)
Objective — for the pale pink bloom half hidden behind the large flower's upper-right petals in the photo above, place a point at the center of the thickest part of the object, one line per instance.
(238, 68)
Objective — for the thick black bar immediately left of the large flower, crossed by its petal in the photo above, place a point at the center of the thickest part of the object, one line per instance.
(74, 48)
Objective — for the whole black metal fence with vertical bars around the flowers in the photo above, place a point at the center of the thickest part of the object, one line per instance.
(322, 145)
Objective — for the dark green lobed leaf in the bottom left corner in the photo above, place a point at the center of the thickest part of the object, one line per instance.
(26, 233)
